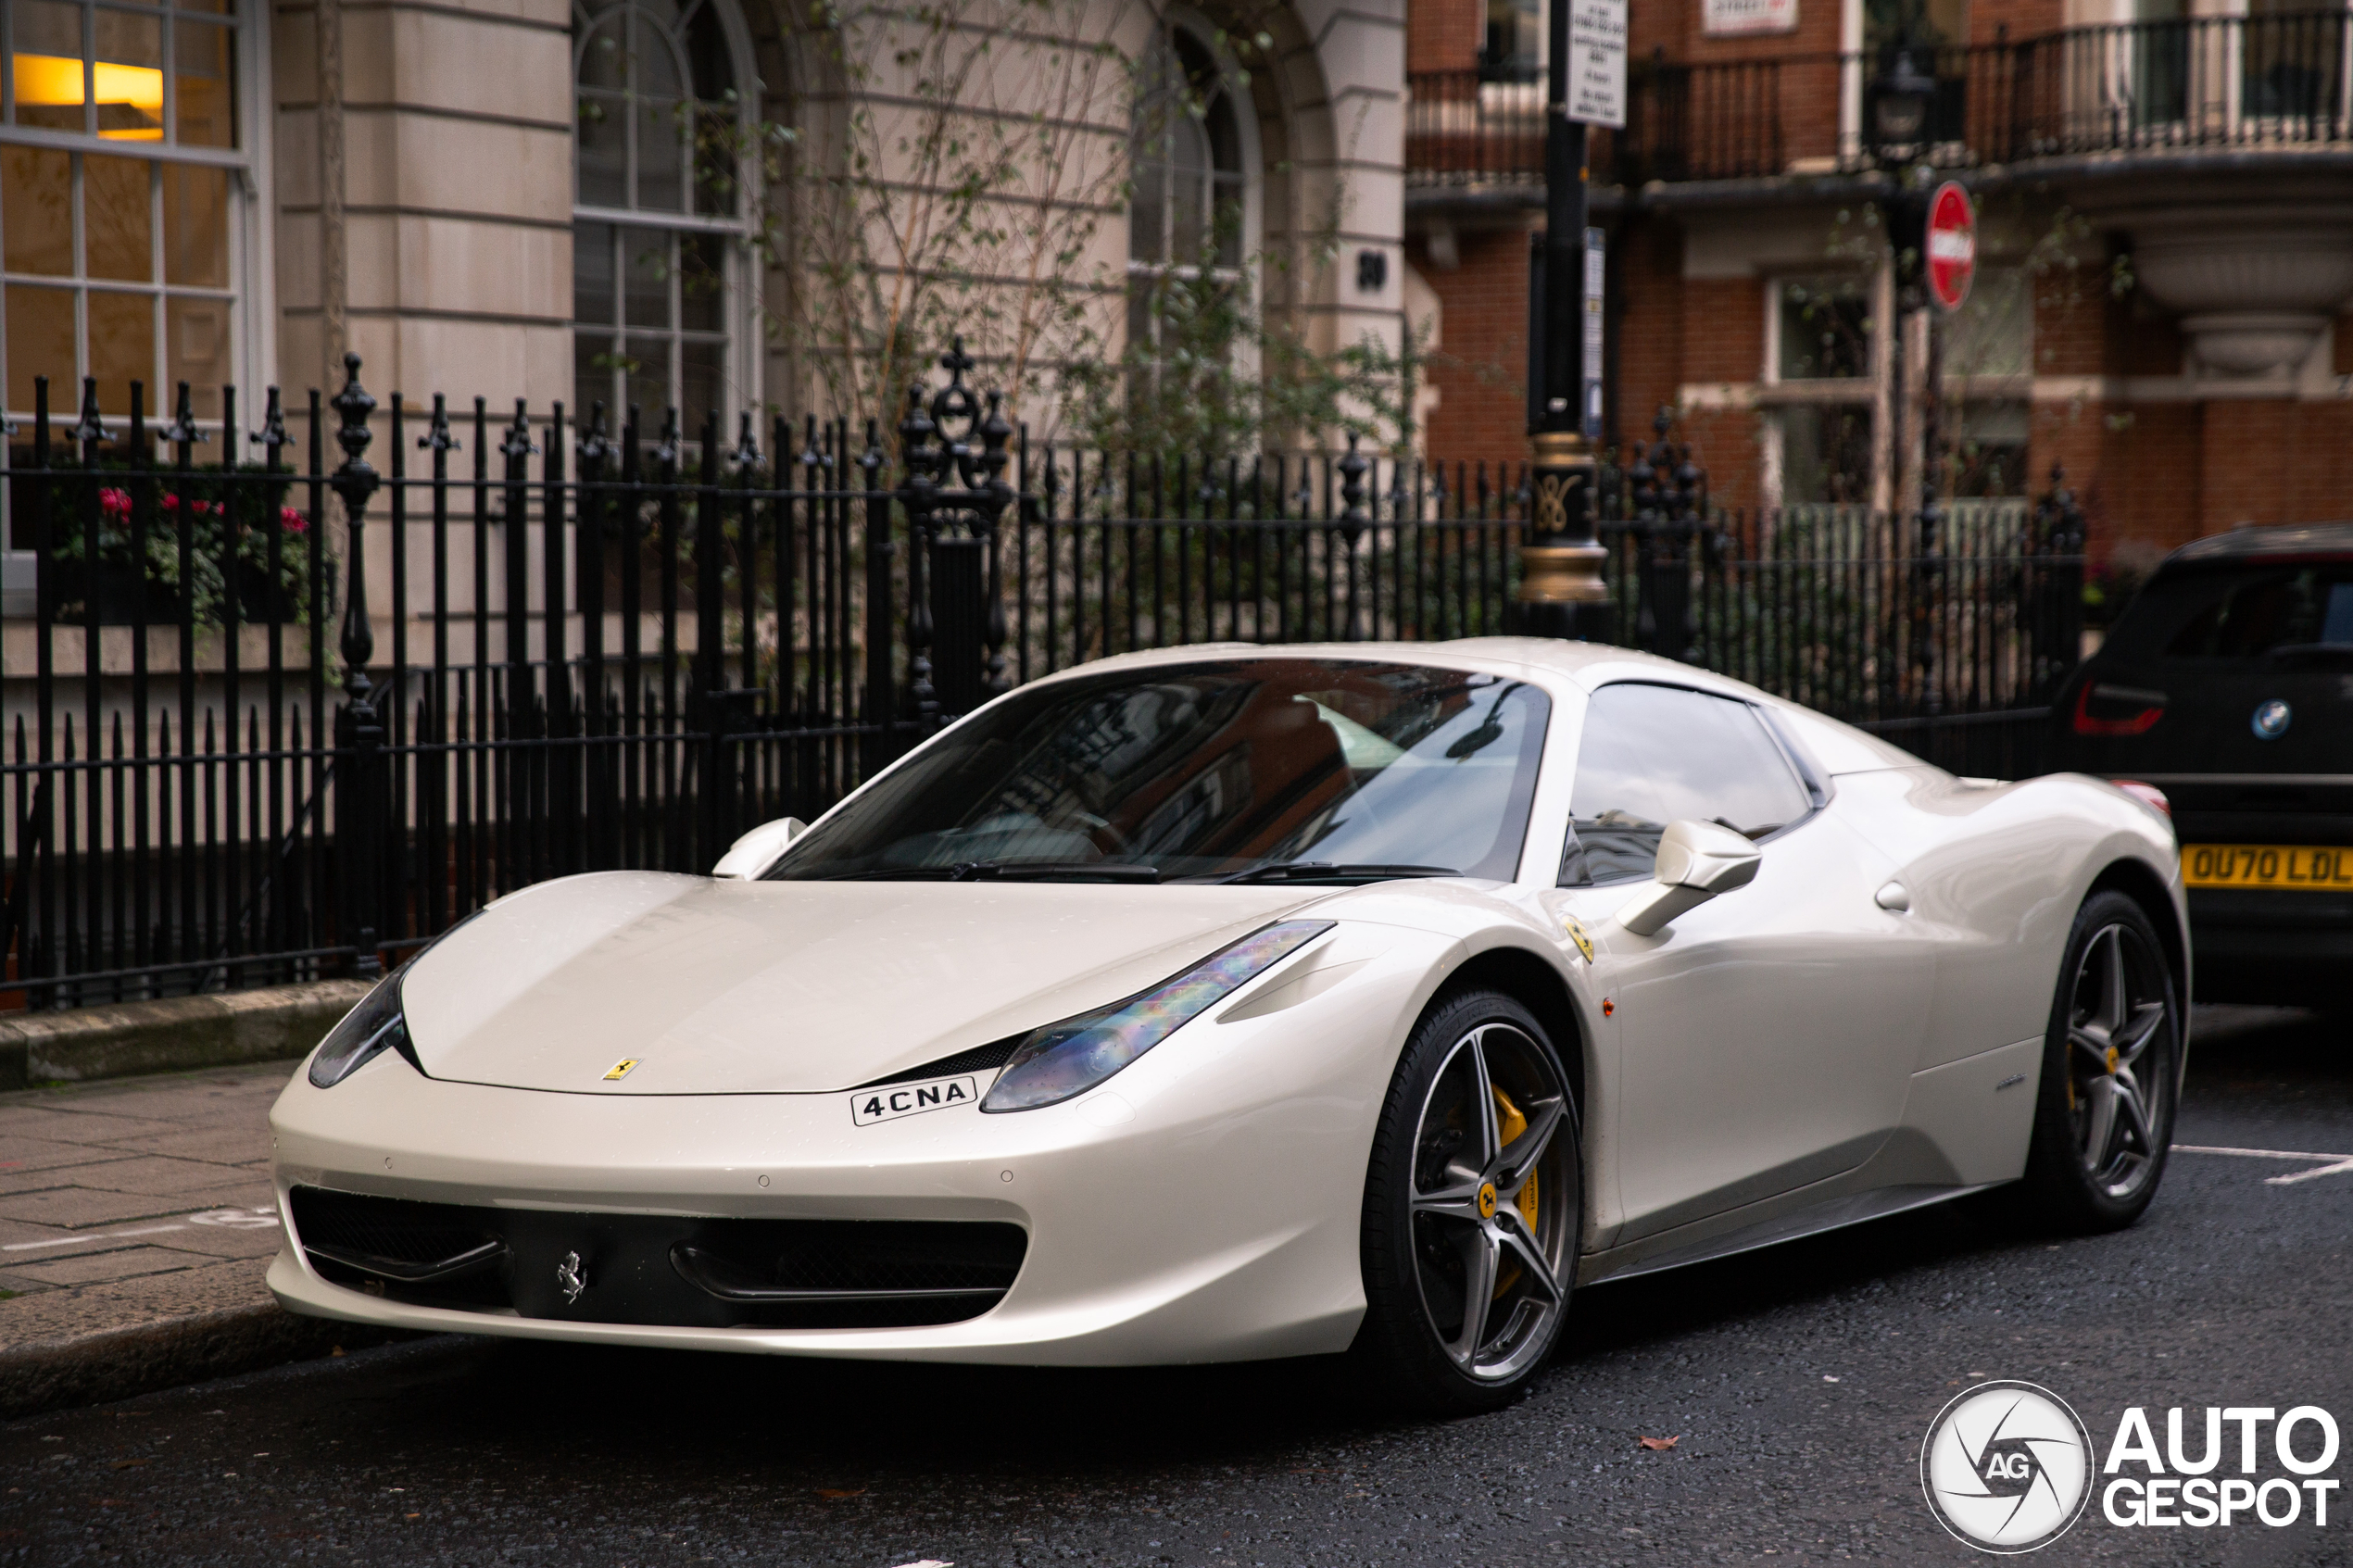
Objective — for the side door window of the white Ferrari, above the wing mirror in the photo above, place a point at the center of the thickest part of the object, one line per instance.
(1653, 756)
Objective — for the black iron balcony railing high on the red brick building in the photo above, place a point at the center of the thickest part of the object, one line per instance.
(2145, 86)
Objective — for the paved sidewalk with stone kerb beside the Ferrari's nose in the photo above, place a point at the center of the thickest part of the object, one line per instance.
(135, 1231)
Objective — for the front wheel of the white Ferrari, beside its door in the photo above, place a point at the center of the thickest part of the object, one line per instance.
(1472, 1209)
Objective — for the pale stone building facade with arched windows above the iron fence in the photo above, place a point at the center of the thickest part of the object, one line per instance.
(509, 199)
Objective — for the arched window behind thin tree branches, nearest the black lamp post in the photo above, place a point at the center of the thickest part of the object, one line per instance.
(1192, 222)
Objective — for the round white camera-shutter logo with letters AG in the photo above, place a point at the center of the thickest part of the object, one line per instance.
(2008, 1468)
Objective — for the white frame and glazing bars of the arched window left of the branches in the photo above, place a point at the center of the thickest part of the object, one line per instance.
(740, 361)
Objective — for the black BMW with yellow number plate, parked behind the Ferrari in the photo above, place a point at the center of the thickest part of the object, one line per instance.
(2229, 685)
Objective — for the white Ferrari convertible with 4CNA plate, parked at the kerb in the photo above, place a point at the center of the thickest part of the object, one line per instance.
(1255, 1003)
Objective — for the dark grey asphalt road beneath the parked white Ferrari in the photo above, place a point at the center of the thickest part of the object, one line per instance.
(1799, 1386)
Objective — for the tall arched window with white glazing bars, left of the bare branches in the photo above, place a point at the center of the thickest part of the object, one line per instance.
(660, 210)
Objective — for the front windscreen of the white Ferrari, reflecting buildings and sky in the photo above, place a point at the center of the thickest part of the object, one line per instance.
(1281, 770)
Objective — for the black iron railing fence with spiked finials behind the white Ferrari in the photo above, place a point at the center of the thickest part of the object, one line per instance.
(274, 721)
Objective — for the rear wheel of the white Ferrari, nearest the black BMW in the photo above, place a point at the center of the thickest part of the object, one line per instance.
(2112, 1071)
